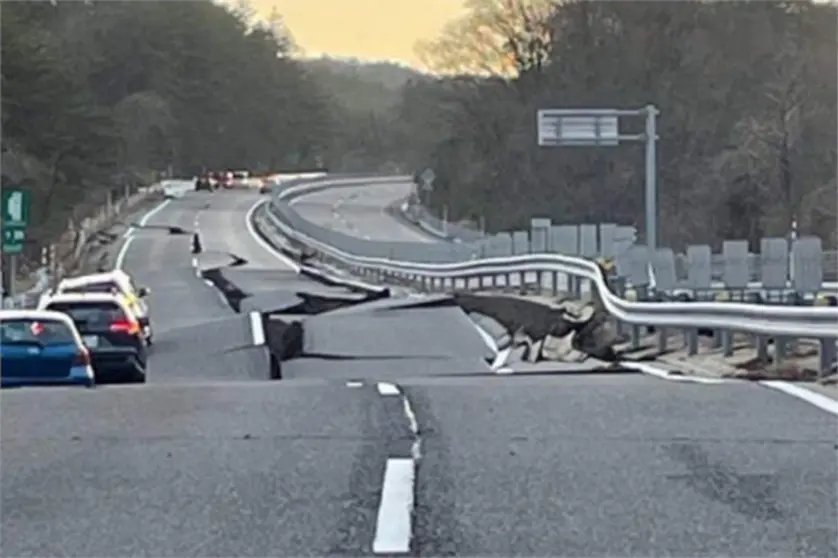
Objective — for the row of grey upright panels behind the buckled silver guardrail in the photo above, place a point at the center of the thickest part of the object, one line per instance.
(698, 270)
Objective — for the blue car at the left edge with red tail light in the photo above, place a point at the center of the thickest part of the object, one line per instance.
(42, 348)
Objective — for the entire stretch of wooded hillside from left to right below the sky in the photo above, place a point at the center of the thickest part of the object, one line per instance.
(100, 94)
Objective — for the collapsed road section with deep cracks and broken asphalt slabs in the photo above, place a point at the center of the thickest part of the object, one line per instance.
(347, 330)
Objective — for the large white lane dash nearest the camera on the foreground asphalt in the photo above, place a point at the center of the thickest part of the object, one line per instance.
(394, 526)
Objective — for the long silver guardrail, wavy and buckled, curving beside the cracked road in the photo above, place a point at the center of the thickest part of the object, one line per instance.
(435, 267)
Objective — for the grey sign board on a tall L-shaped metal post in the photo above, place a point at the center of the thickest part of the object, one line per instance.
(600, 128)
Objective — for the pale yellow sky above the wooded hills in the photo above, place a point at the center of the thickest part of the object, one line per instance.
(370, 29)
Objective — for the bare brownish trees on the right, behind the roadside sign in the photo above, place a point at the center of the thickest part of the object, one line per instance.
(747, 100)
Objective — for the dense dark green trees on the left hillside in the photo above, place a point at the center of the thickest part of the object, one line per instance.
(100, 94)
